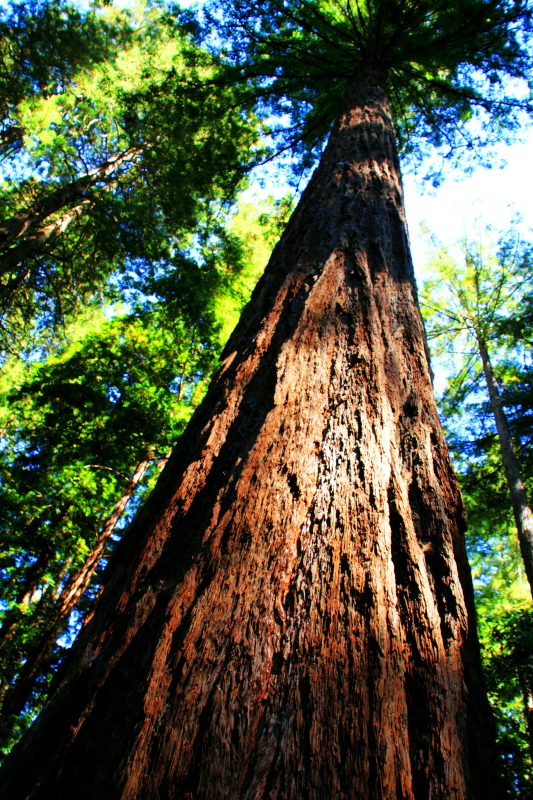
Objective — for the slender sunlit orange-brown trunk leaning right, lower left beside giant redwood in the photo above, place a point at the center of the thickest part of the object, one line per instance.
(19, 693)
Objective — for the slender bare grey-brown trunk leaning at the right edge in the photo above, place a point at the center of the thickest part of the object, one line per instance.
(521, 510)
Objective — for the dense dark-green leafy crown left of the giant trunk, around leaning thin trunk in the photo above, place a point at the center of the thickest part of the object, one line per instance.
(74, 431)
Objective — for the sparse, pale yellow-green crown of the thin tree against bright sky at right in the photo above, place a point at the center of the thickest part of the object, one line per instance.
(471, 290)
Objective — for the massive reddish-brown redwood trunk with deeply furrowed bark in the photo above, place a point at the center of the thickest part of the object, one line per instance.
(290, 615)
